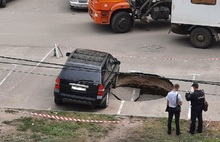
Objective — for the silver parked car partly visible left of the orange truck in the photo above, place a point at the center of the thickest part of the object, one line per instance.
(79, 4)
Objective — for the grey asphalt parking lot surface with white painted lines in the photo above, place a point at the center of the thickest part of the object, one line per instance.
(29, 30)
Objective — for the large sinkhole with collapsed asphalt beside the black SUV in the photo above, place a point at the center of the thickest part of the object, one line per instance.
(137, 86)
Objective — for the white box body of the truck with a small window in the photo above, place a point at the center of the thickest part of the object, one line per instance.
(185, 12)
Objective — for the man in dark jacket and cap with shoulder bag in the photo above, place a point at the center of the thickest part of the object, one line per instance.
(197, 101)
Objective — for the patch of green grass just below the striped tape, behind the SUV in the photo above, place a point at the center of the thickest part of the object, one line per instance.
(43, 128)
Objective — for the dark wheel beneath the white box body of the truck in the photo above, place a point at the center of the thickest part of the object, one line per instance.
(201, 37)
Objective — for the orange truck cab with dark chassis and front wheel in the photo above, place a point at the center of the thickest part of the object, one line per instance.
(121, 14)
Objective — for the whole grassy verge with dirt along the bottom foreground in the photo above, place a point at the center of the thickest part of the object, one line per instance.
(150, 130)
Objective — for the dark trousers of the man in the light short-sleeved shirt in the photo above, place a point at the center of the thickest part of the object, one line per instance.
(172, 112)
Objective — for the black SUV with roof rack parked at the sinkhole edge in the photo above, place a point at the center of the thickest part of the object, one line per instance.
(87, 78)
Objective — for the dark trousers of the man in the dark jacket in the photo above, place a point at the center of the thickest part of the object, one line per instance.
(196, 112)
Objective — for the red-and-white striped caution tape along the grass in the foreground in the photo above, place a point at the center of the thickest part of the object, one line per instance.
(56, 117)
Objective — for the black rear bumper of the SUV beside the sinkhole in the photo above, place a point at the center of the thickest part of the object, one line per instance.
(79, 99)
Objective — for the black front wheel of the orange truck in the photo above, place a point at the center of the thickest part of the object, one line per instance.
(121, 22)
